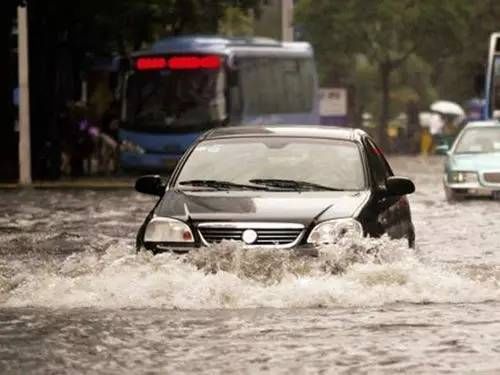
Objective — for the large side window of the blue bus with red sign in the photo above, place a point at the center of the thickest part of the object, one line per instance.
(277, 85)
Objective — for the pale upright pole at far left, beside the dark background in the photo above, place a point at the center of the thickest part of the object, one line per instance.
(24, 98)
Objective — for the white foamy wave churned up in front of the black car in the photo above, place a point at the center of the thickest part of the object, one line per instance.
(368, 272)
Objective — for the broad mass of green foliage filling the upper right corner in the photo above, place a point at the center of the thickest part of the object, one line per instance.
(402, 49)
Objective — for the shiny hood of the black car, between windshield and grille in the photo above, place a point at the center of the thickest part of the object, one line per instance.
(293, 207)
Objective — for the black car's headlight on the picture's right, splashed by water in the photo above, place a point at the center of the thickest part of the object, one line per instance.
(333, 230)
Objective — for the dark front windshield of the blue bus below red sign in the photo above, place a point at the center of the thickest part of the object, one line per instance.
(165, 99)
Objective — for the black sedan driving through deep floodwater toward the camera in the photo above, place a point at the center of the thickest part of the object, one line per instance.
(279, 187)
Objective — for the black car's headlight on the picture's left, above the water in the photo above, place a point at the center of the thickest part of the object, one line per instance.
(163, 229)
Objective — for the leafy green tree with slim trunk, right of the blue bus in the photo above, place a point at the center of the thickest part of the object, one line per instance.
(387, 32)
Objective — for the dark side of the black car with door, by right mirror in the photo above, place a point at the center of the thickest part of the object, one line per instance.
(390, 213)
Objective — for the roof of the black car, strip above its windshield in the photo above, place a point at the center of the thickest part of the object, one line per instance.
(307, 131)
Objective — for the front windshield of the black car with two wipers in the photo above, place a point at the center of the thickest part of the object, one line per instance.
(275, 162)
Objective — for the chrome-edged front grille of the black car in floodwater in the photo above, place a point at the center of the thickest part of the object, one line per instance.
(268, 234)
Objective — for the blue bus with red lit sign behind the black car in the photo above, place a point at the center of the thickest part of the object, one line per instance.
(183, 86)
